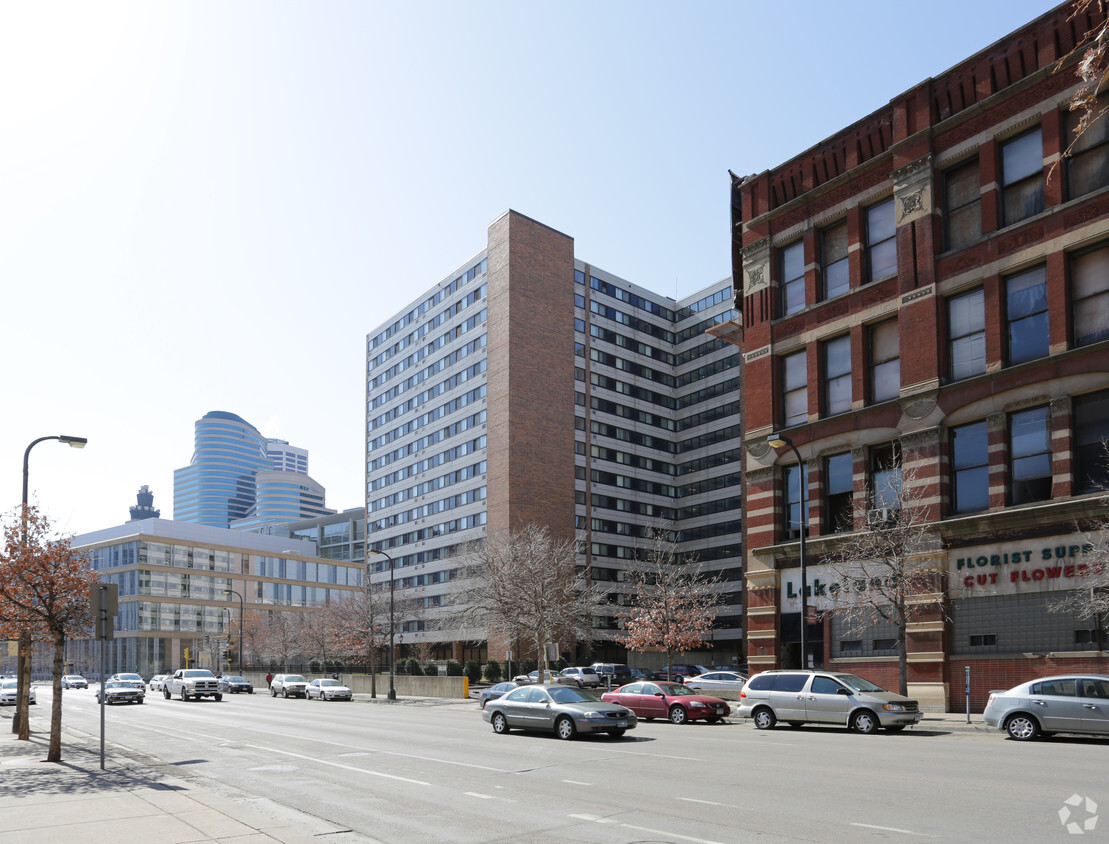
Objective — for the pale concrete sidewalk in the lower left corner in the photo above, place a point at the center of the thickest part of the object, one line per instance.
(76, 800)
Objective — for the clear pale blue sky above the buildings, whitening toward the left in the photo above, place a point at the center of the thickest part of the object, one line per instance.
(209, 206)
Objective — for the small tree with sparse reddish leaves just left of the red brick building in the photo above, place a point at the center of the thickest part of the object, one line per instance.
(675, 603)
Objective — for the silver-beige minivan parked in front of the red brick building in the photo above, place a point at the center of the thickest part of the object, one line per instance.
(825, 698)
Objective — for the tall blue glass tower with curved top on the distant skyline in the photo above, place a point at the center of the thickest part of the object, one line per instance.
(219, 487)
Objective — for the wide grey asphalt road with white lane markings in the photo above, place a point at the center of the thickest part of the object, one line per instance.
(408, 772)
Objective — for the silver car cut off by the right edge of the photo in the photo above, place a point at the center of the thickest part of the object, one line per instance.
(1070, 704)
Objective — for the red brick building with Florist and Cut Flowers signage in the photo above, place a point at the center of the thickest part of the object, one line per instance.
(929, 290)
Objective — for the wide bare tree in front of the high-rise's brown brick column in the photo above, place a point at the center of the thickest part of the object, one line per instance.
(526, 584)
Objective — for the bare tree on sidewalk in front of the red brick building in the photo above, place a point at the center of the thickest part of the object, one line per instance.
(881, 572)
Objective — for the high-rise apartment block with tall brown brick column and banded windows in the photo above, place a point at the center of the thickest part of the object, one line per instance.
(532, 388)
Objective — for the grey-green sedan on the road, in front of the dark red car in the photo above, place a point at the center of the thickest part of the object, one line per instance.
(565, 710)
